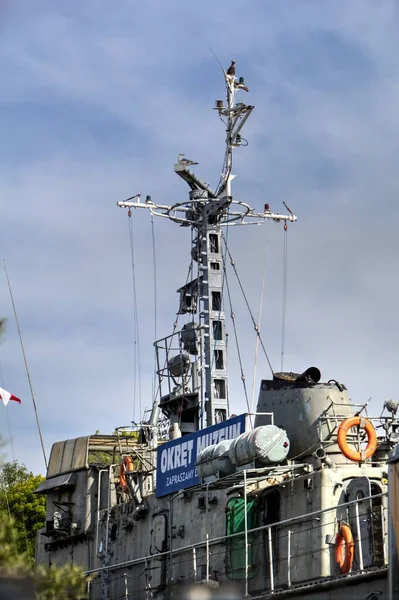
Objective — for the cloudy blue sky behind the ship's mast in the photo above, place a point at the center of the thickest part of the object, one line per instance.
(97, 101)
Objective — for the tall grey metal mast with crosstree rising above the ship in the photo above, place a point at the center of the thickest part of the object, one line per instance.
(207, 211)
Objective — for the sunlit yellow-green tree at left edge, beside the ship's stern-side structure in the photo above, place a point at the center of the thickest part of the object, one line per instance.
(27, 509)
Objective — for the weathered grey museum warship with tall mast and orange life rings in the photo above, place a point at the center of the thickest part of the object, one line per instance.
(288, 501)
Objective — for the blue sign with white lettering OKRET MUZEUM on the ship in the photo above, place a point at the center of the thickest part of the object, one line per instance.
(176, 459)
